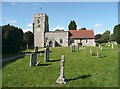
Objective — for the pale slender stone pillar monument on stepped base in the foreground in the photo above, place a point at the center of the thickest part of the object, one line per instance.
(61, 78)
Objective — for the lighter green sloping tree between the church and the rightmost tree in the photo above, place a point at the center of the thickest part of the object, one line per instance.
(105, 37)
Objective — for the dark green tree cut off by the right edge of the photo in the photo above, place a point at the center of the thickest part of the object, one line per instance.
(116, 33)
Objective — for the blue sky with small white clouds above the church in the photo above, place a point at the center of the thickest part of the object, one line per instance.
(99, 16)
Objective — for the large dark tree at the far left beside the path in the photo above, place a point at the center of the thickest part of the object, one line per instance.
(12, 38)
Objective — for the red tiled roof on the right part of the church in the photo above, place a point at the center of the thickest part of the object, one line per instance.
(81, 34)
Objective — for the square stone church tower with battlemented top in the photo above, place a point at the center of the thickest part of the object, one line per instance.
(40, 26)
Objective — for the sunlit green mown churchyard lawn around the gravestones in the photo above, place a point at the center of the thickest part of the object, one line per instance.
(81, 69)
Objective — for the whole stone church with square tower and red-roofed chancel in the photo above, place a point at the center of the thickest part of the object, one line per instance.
(43, 37)
